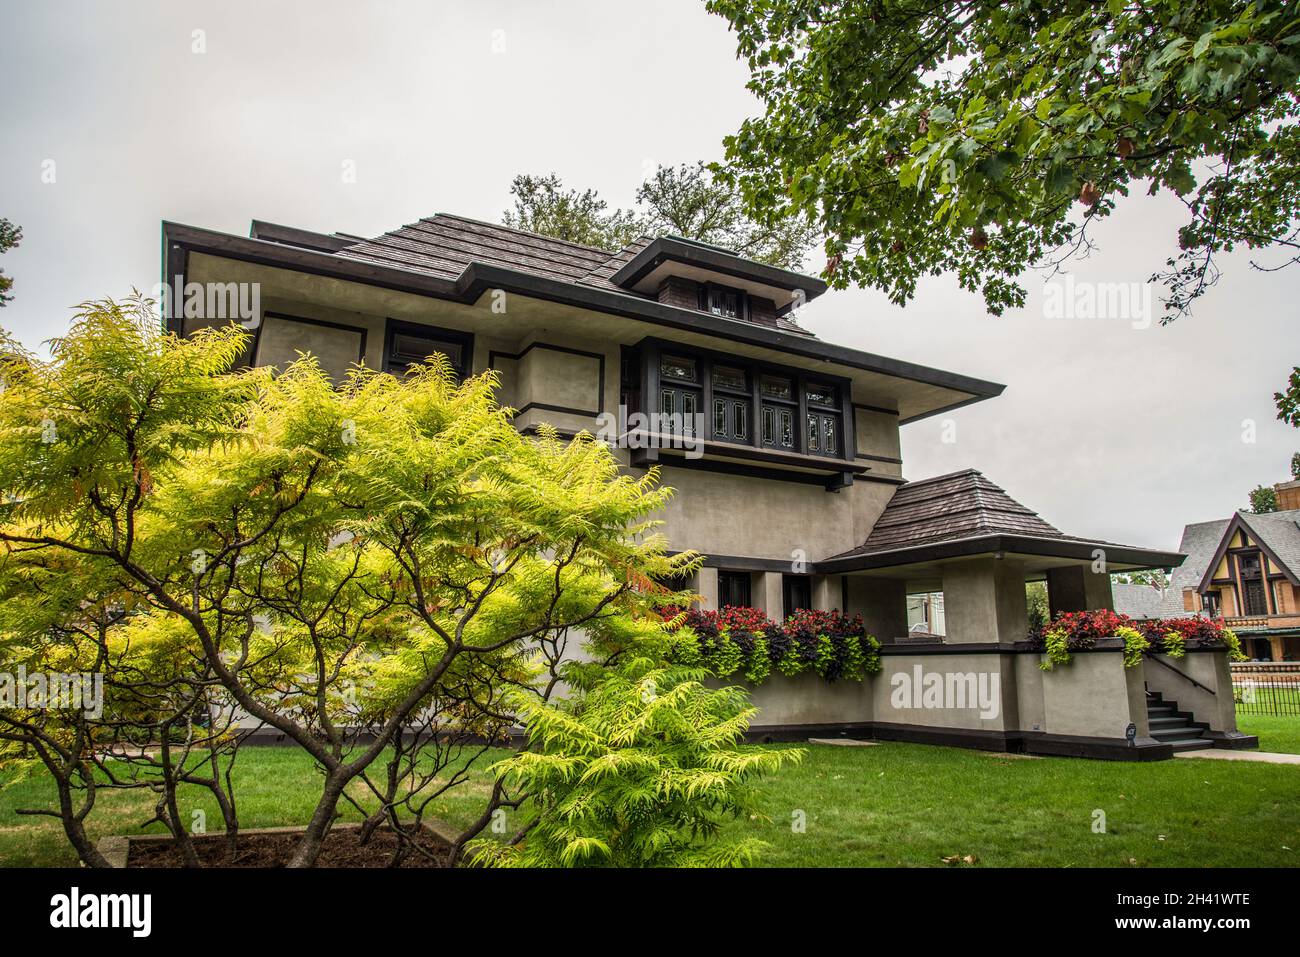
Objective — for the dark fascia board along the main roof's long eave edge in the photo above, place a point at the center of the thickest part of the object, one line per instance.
(480, 278)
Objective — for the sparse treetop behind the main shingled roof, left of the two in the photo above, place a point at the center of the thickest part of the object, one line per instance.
(544, 206)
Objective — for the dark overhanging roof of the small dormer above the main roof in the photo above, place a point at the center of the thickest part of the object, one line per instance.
(674, 257)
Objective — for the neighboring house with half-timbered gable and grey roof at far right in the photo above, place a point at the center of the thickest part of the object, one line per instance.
(1245, 570)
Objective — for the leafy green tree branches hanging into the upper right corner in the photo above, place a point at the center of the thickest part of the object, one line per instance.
(980, 138)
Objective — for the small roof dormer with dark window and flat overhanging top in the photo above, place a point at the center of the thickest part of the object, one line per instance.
(709, 279)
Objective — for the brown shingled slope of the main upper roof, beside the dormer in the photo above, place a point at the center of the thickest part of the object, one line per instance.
(444, 245)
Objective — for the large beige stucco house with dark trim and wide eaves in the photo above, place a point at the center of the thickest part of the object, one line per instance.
(785, 452)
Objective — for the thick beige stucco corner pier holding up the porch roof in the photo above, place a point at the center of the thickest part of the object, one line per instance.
(985, 601)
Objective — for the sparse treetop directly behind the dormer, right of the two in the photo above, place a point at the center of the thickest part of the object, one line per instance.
(686, 201)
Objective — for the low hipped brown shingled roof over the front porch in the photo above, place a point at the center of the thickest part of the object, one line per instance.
(965, 514)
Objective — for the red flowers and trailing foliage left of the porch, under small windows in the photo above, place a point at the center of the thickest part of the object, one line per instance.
(744, 640)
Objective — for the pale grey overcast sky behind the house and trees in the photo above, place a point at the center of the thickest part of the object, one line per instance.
(1106, 430)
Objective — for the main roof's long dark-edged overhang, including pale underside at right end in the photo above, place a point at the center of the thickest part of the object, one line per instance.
(917, 392)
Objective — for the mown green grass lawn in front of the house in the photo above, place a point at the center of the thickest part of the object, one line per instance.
(883, 806)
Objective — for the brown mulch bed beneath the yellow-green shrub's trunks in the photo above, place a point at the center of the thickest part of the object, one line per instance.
(262, 850)
